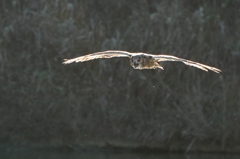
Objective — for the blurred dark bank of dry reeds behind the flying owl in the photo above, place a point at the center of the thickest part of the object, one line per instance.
(106, 102)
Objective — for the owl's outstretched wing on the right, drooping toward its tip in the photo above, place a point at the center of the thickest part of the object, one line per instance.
(160, 58)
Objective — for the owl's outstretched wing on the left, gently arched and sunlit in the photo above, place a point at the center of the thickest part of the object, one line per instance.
(98, 55)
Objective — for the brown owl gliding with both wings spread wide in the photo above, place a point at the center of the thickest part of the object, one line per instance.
(140, 60)
